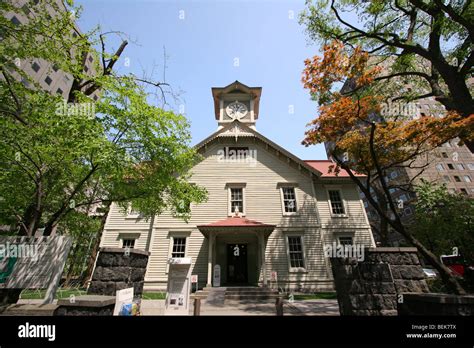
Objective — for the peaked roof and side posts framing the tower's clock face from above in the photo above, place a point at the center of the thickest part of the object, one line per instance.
(234, 92)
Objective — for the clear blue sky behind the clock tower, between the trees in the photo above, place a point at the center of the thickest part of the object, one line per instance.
(204, 40)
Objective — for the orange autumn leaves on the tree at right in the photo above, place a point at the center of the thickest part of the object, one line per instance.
(351, 118)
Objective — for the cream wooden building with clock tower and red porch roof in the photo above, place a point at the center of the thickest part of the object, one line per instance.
(267, 210)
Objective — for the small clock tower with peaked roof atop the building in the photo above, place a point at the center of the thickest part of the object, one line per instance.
(236, 102)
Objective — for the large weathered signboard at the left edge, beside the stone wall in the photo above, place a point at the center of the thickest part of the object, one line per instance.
(33, 263)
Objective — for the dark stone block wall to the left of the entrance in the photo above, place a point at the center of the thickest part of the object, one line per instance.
(117, 269)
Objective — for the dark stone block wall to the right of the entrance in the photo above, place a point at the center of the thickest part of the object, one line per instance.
(372, 286)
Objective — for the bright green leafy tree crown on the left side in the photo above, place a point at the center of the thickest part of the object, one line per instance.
(57, 159)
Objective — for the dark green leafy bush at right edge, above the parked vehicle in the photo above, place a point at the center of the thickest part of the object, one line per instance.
(444, 221)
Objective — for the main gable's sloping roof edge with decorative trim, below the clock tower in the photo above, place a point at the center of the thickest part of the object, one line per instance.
(245, 131)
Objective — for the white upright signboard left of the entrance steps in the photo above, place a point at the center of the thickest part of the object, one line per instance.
(179, 276)
